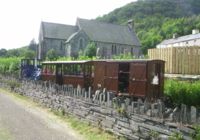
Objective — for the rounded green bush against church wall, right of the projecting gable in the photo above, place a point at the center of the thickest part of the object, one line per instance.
(90, 50)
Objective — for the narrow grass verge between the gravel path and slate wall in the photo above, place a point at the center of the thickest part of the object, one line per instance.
(83, 128)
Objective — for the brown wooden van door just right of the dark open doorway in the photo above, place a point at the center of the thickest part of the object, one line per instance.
(137, 80)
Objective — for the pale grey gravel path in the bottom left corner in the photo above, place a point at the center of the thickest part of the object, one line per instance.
(26, 122)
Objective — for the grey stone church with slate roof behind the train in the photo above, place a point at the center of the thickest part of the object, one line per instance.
(67, 40)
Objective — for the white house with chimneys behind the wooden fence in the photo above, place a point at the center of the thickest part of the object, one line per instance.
(182, 41)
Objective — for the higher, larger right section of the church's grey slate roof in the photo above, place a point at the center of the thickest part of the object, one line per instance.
(105, 32)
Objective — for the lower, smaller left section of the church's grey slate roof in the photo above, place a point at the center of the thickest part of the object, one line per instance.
(58, 31)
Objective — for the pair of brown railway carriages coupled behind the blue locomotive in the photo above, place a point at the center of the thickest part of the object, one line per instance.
(130, 78)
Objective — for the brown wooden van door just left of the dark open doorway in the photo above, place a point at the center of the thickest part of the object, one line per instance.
(111, 76)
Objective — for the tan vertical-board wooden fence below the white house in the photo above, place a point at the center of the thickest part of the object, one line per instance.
(180, 60)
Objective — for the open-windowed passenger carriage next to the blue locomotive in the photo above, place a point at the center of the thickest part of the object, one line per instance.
(68, 72)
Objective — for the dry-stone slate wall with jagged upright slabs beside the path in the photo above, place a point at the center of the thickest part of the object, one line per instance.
(132, 120)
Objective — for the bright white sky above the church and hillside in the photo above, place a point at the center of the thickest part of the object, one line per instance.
(20, 19)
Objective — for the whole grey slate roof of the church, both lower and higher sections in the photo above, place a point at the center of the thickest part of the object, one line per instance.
(96, 31)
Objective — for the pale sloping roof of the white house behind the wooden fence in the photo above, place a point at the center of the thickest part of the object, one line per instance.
(181, 39)
